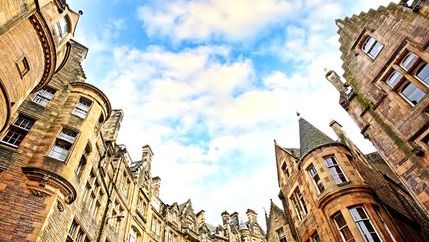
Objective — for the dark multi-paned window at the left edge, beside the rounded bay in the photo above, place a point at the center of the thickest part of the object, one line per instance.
(18, 130)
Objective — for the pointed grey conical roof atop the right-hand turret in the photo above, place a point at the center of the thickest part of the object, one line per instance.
(311, 137)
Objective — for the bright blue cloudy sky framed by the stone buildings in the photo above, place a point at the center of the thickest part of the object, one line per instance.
(209, 85)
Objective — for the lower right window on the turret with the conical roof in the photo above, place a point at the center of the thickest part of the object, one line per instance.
(364, 224)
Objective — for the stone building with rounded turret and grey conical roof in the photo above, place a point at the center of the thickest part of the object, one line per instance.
(331, 191)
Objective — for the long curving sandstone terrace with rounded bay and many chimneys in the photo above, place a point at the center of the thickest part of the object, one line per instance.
(64, 177)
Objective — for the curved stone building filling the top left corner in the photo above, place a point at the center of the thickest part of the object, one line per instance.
(34, 44)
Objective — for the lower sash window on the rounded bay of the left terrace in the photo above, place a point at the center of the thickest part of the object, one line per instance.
(63, 145)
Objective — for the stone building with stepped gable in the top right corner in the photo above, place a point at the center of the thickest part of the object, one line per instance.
(385, 60)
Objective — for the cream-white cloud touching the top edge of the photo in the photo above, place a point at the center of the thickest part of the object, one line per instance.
(236, 20)
